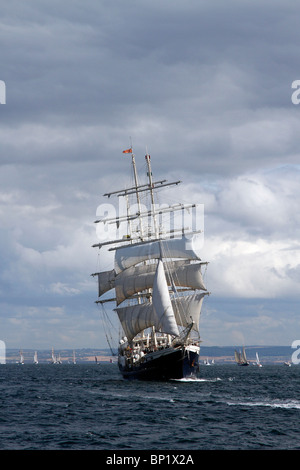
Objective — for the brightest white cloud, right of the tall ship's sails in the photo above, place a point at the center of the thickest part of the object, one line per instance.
(252, 269)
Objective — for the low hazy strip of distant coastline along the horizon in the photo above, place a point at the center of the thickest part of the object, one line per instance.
(220, 354)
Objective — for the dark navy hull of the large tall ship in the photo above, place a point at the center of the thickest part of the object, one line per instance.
(166, 364)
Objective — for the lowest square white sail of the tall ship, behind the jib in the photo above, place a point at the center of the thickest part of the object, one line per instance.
(136, 318)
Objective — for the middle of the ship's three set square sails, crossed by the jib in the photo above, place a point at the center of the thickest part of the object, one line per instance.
(139, 278)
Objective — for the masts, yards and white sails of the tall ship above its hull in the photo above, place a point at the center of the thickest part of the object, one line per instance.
(158, 276)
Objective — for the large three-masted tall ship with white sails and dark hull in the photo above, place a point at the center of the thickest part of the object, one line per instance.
(156, 281)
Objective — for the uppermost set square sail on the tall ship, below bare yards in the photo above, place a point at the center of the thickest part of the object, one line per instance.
(184, 247)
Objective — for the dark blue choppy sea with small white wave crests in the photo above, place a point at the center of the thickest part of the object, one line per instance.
(91, 407)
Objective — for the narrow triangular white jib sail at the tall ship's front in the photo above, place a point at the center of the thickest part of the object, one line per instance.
(162, 303)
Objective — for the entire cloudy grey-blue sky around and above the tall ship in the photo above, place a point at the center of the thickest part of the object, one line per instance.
(206, 87)
